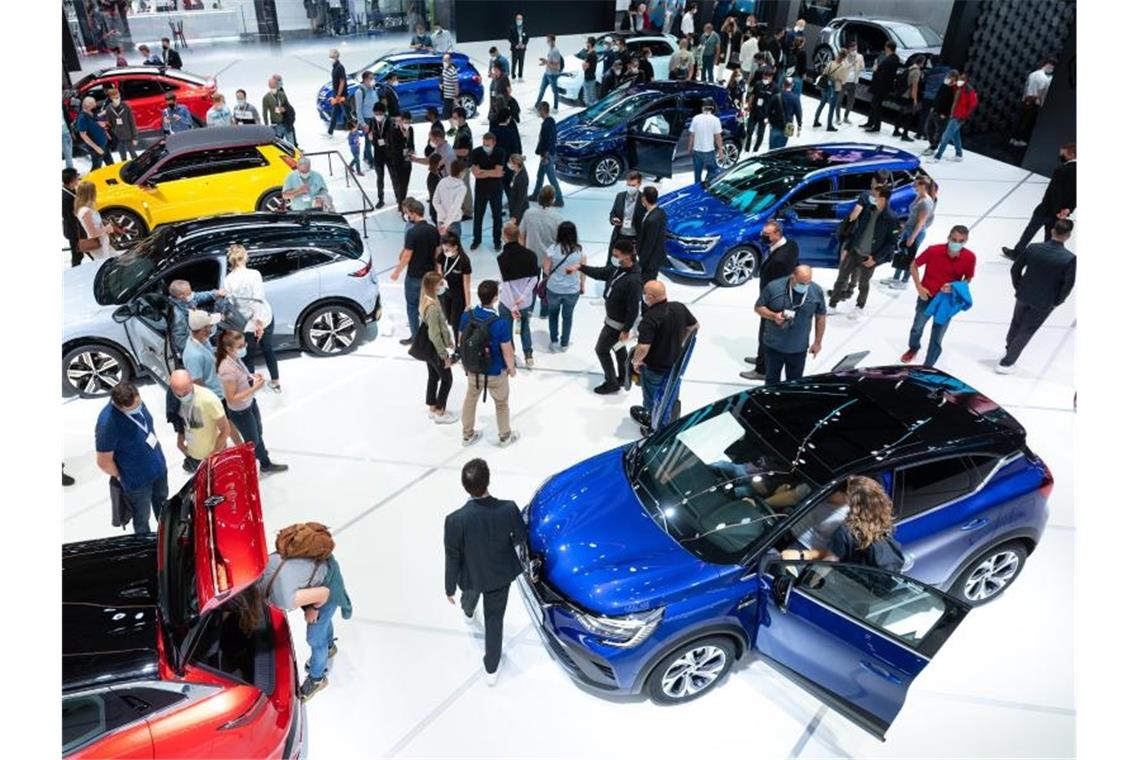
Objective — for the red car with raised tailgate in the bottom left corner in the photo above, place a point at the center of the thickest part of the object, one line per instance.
(156, 665)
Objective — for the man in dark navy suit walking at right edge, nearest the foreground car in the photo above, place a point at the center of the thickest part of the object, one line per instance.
(1044, 277)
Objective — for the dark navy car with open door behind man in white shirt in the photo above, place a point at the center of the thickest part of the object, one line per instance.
(644, 127)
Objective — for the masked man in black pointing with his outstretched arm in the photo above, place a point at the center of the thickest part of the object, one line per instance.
(623, 301)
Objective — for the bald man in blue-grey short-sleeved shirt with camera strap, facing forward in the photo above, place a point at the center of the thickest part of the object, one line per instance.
(792, 305)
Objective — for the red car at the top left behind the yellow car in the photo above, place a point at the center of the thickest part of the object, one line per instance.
(145, 89)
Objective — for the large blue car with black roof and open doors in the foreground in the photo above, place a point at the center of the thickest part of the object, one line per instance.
(654, 568)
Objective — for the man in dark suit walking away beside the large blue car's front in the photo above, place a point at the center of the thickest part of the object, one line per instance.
(479, 543)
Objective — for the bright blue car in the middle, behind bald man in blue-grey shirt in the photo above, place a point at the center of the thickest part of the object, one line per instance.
(714, 231)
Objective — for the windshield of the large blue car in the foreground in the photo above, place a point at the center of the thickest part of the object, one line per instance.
(713, 484)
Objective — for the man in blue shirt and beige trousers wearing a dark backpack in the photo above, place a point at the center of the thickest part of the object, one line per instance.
(499, 371)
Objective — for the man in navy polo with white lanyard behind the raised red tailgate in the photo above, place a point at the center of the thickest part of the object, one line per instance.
(127, 448)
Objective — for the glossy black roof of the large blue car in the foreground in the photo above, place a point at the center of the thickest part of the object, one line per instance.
(868, 419)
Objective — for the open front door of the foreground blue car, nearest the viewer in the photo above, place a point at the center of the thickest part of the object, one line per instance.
(856, 636)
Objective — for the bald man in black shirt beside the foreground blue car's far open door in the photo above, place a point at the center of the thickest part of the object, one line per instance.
(662, 336)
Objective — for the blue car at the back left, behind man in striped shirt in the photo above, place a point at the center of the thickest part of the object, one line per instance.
(418, 84)
